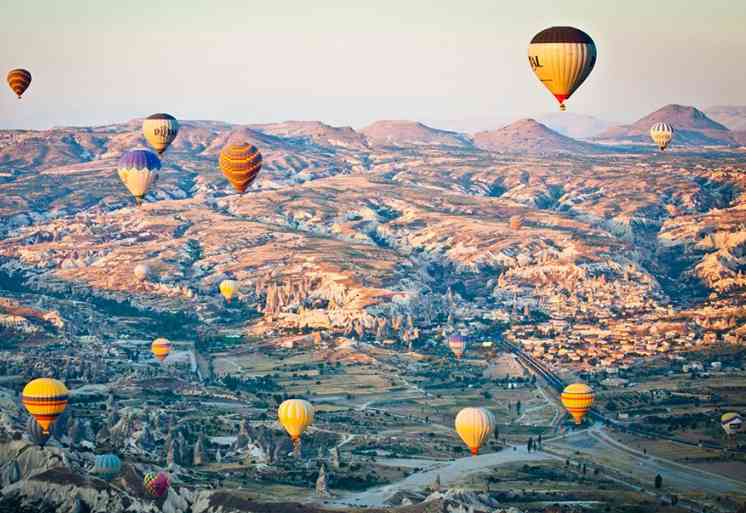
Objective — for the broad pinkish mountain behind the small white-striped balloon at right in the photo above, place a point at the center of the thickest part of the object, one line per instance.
(691, 125)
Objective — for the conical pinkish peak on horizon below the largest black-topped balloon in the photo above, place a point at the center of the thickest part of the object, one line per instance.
(530, 136)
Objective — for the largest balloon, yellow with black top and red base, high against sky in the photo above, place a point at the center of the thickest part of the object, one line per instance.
(562, 58)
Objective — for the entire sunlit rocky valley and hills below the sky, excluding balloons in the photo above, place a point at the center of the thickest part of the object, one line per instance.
(357, 254)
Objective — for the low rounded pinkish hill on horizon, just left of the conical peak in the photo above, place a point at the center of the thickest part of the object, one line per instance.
(412, 133)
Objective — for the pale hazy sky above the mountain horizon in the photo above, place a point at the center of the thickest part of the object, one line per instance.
(353, 62)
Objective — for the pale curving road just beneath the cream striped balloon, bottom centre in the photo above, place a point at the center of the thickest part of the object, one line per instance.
(449, 472)
